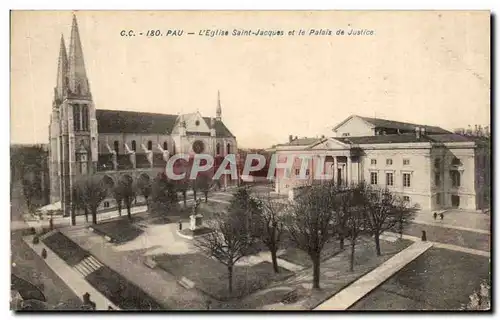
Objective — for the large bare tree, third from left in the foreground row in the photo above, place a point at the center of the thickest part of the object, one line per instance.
(309, 222)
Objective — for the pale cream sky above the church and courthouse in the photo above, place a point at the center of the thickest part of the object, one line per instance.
(425, 67)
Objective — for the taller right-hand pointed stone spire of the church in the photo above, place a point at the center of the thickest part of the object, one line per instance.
(77, 77)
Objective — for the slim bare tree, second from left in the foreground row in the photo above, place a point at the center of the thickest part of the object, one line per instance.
(270, 226)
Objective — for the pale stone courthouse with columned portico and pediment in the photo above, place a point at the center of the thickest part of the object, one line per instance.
(429, 166)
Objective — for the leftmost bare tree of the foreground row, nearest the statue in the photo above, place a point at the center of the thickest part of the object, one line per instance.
(226, 243)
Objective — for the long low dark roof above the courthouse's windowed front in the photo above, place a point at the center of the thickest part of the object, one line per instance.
(405, 138)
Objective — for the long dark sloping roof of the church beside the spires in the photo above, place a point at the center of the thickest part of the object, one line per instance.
(118, 121)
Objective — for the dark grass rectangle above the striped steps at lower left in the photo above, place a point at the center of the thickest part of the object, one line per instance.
(65, 248)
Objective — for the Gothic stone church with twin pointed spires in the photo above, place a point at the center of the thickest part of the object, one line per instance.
(85, 140)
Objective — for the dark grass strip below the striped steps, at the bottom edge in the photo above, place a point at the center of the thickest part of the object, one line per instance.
(120, 291)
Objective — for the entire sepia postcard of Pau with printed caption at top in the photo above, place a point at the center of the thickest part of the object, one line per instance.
(250, 160)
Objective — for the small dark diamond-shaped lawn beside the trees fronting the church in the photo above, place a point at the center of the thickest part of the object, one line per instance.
(120, 230)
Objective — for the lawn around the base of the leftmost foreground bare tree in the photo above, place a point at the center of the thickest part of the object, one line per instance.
(210, 276)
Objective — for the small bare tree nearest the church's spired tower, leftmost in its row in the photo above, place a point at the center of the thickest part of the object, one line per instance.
(93, 192)
